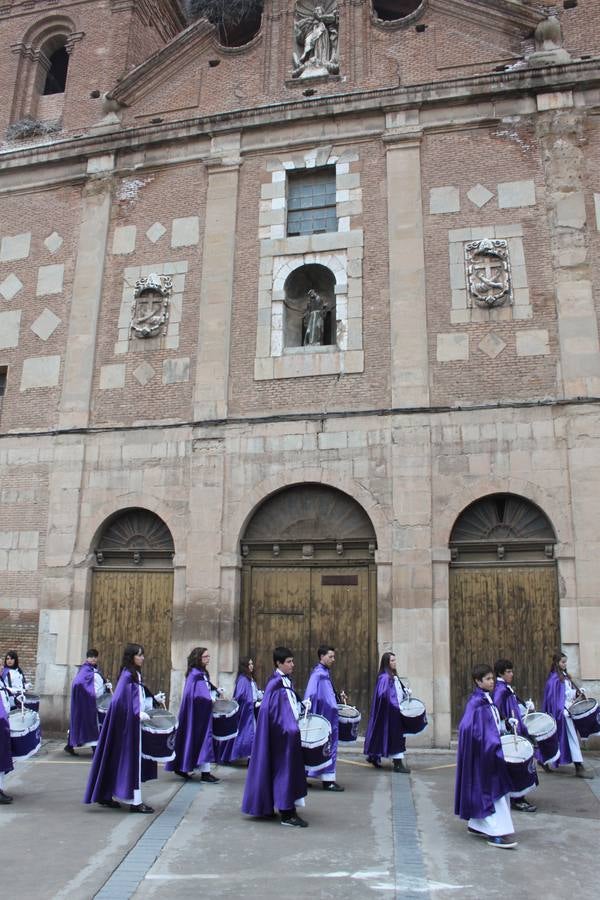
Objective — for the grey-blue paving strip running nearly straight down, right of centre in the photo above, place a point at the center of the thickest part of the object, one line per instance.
(409, 865)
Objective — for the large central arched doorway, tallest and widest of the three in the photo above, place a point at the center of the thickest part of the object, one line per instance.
(309, 578)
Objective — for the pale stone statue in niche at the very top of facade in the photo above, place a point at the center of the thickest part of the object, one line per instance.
(316, 35)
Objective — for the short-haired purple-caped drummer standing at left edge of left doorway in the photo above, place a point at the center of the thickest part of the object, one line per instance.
(88, 686)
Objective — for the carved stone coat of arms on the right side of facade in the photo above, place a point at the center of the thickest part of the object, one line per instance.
(488, 272)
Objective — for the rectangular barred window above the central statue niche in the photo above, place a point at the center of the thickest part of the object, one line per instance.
(311, 202)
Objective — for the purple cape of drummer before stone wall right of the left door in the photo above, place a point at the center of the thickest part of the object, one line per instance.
(193, 741)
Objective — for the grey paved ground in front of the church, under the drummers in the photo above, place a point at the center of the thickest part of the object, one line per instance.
(386, 835)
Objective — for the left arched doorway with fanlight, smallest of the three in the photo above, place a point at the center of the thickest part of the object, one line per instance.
(132, 594)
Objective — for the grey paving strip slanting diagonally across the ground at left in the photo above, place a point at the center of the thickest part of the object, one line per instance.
(127, 877)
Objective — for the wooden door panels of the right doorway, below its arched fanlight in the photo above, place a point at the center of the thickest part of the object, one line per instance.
(495, 612)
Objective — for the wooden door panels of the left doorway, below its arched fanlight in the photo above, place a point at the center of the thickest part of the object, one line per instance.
(129, 606)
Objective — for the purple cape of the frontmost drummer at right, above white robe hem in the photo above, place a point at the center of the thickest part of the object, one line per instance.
(481, 773)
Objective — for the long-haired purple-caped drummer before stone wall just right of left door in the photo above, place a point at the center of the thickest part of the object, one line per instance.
(194, 740)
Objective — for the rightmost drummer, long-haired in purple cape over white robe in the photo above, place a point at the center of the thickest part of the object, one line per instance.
(560, 692)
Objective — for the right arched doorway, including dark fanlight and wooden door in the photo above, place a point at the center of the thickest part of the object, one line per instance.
(503, 594)
